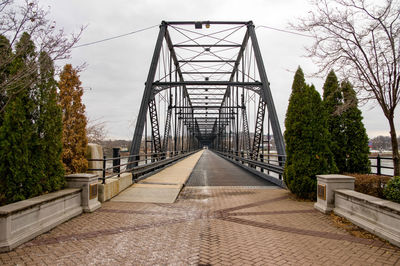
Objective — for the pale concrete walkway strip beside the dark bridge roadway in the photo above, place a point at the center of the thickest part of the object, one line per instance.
(162, 187)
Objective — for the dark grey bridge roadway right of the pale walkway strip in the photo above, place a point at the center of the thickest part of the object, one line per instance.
(212, 170)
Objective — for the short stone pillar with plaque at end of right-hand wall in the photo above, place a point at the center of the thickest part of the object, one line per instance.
(327, 184)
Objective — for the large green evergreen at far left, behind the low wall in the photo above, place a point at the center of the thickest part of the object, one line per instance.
(17, 134)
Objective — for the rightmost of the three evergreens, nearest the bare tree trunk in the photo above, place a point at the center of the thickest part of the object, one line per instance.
(356, 147)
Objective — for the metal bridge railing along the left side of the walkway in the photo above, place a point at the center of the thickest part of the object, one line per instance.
(147, 162)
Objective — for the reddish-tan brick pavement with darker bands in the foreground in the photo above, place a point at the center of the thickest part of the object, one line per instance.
(207, 225)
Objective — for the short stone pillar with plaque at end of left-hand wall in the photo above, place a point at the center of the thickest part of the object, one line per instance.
(89, 185)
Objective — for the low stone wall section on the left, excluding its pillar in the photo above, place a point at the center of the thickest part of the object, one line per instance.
(24, 220)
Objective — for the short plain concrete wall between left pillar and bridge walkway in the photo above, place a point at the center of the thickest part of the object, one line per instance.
(114, 186)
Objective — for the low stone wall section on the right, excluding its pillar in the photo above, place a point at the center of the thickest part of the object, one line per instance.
(378, 216)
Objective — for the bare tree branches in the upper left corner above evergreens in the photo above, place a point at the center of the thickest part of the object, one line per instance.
(31, 18)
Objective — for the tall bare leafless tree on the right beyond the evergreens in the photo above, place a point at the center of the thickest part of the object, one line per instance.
(360, 39)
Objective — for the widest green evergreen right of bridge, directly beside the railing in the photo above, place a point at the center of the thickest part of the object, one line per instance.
(307, 140)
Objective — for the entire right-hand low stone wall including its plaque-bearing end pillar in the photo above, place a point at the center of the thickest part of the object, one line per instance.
(378, 216)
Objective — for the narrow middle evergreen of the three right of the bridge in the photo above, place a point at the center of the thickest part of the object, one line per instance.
(332, 102)
